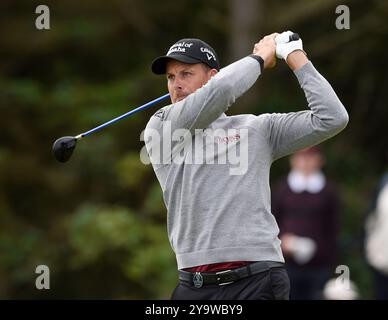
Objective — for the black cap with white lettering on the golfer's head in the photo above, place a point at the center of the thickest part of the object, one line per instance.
(187, 51)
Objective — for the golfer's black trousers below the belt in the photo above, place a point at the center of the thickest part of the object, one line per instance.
(273, 284)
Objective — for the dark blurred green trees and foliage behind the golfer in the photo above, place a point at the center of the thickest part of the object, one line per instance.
(98, 221)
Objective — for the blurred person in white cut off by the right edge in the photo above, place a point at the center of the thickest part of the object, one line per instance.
(377, 239)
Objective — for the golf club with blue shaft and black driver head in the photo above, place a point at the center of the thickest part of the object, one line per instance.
(63, 147)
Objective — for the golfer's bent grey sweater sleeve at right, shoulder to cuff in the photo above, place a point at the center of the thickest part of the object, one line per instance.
(296, 130)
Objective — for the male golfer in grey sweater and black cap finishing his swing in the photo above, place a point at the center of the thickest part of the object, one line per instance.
(220, 224)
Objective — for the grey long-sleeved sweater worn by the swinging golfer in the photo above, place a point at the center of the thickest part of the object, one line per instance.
(215, 214)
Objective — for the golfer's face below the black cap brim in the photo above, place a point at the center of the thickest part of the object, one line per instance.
(184, 79)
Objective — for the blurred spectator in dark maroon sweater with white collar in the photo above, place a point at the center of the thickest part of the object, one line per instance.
(305, 205)
